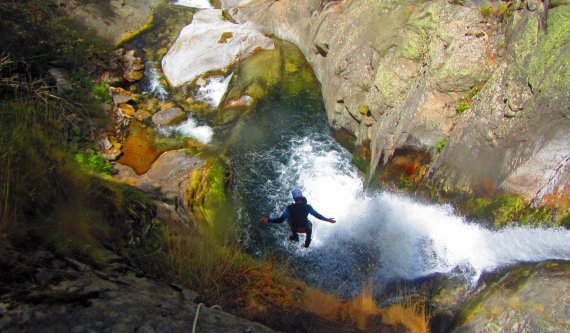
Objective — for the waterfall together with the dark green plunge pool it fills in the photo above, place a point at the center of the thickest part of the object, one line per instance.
(379, 237)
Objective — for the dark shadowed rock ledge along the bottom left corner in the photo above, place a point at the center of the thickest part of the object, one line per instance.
(64, 295)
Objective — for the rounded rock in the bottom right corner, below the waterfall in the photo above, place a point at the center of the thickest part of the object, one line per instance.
(522, 301)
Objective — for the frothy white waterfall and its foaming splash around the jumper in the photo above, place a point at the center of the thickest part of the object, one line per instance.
(400, 237)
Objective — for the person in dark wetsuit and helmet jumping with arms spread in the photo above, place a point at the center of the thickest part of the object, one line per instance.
(297, 215)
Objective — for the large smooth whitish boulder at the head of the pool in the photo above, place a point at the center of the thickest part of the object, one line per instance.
(197, 49)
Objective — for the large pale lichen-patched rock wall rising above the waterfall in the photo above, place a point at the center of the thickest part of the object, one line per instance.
(482, 88)
